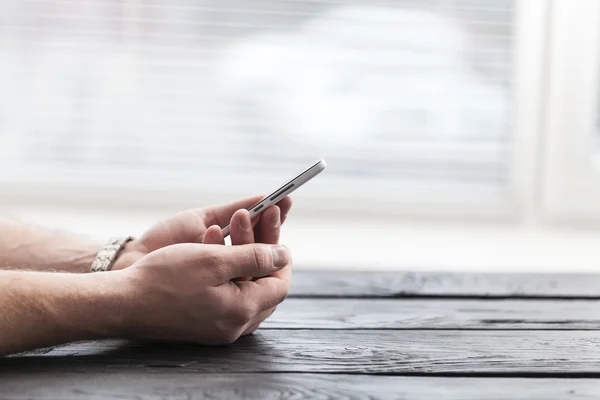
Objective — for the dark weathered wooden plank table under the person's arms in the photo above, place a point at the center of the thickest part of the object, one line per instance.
(358, 335)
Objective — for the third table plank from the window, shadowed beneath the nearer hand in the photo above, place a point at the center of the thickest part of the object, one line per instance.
(330, 351)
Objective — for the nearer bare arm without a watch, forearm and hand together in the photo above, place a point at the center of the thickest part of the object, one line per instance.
(182, 292)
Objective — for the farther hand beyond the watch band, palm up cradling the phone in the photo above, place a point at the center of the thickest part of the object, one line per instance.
(191, 227)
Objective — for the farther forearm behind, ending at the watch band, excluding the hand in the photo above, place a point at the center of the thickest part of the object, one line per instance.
(25, 247)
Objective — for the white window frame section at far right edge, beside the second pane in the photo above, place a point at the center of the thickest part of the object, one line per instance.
(571, 183)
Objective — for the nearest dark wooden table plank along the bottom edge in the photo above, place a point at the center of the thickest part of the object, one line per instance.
(185, 385)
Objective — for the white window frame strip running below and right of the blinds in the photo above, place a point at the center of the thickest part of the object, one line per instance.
(405, 199)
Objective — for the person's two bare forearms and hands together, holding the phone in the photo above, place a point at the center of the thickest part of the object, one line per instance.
(176, 288)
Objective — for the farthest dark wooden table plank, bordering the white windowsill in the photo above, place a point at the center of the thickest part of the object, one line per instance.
(406, 284)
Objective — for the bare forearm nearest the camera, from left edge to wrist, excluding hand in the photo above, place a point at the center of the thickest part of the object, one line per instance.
(42, 309)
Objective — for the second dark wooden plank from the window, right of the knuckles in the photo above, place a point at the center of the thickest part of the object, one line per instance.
(435, 314)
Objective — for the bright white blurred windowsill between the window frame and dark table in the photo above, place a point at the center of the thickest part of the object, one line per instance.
(408, 245)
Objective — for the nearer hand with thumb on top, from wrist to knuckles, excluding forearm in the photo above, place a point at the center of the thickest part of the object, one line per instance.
(185, 292)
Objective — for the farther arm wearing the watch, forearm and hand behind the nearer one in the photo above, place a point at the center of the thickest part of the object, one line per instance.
(24, 247)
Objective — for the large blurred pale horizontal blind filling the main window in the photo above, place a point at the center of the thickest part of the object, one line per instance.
(155, 90)
